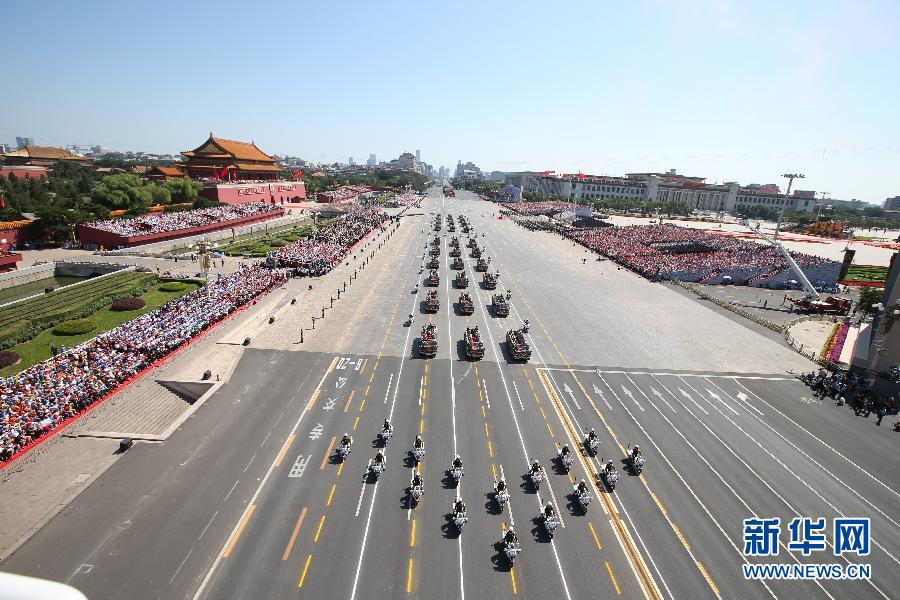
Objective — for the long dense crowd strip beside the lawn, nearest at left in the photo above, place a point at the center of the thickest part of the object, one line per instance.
(37, 400)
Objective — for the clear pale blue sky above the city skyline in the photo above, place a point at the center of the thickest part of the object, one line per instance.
(738, 91)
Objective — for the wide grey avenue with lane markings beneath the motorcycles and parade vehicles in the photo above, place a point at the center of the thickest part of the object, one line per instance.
(246, 499)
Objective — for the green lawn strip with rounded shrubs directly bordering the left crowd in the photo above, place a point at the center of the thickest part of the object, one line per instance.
(38, 349)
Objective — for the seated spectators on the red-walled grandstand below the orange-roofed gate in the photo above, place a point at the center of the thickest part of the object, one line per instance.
(165, 222)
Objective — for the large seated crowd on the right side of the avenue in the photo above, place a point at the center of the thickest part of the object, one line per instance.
(671, 252)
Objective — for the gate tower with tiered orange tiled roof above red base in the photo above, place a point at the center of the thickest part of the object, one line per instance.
(218, 158)
